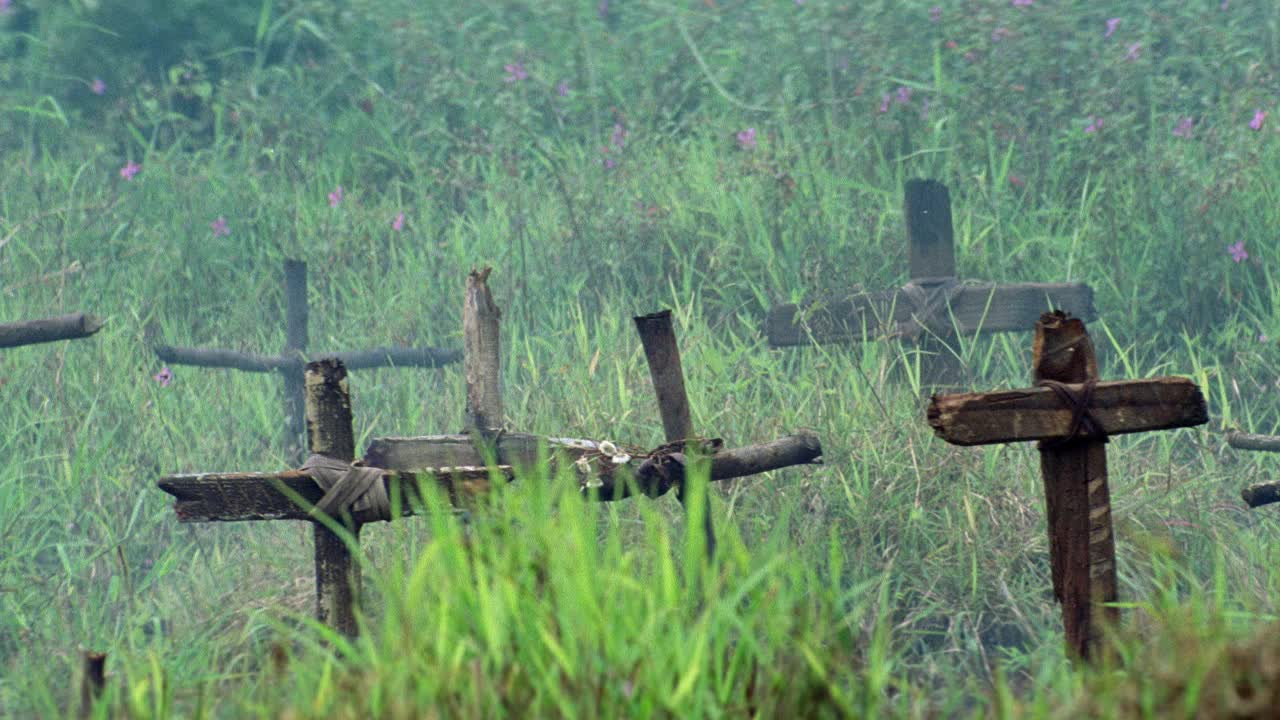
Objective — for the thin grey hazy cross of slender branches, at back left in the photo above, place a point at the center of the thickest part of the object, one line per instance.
(291, 362)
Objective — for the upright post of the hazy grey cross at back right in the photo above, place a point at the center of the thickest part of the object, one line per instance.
(931, 243)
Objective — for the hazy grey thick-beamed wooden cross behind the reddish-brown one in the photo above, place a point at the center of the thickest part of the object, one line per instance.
(934, 307)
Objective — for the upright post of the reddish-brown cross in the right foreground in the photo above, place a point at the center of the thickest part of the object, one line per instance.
(1078, 504)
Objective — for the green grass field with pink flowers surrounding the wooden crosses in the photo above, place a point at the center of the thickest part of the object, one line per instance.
(611, 160)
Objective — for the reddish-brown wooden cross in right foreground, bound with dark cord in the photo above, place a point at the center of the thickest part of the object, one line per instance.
(1073, 414)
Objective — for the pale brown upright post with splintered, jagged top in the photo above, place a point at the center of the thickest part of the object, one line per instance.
(482, 356)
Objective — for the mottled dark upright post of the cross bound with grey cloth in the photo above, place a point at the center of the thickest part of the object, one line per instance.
(331, 434)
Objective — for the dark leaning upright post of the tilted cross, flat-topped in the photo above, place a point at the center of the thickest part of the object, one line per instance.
(662, 353)
